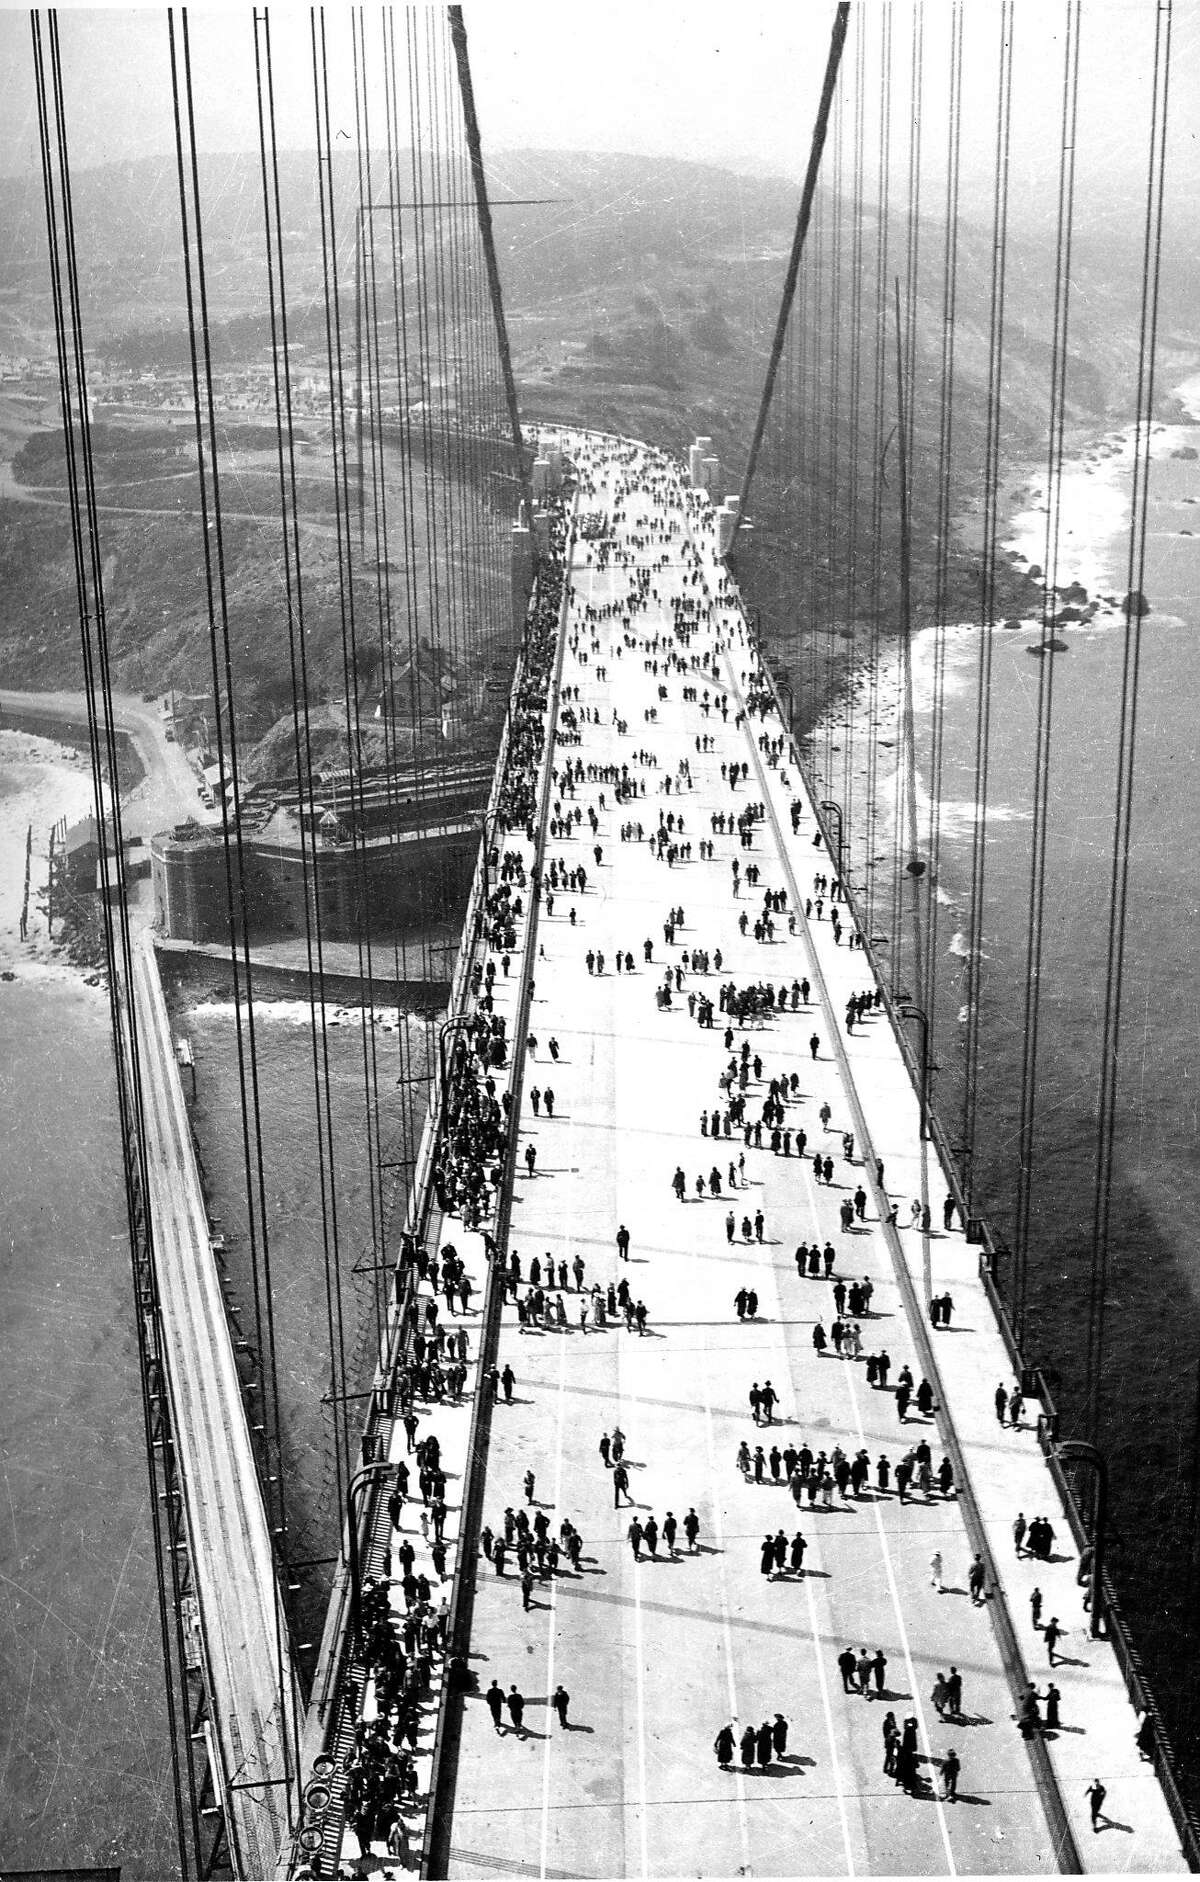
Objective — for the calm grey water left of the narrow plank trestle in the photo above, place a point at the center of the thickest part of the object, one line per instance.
(84, 1749)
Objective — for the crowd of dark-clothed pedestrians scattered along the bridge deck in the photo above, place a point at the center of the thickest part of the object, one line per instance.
(757, 1108)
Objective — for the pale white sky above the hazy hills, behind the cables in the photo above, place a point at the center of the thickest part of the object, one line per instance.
(733, 84)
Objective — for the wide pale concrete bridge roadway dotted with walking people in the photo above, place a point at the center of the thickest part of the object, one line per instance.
(657, 1655)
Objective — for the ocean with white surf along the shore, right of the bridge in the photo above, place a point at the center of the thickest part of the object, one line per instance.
(1152, 1343)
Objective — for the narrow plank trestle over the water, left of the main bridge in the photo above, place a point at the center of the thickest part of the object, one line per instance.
(234, 1572)
